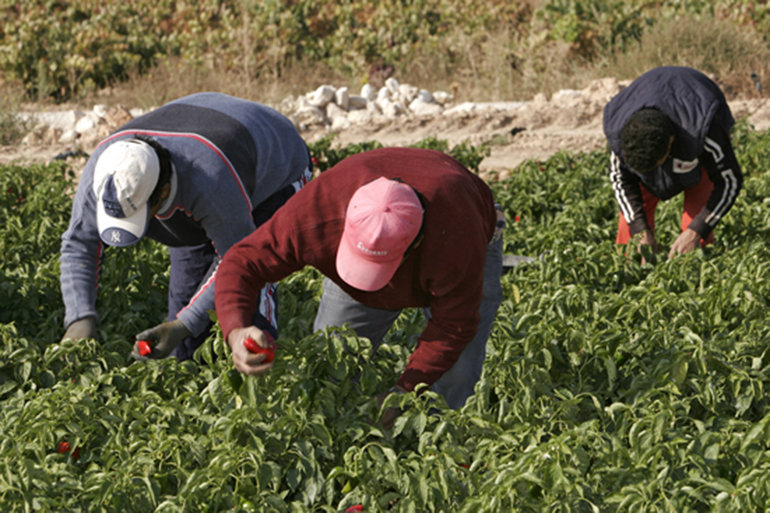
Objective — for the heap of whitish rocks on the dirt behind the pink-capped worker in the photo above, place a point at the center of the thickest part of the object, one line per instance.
(337, 109)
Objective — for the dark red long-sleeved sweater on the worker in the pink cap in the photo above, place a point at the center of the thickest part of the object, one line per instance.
(445, 272)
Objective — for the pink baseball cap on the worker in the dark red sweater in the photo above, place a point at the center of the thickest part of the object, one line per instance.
(382, 220)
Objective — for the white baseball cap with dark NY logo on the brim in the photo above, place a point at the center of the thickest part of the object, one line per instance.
(124, 178)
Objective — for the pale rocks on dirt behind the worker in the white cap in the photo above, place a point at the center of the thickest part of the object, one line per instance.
(75, 127)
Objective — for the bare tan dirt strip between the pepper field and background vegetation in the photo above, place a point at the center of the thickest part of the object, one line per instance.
(536, 129)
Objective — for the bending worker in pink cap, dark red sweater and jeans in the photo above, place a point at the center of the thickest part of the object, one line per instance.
(390, 229)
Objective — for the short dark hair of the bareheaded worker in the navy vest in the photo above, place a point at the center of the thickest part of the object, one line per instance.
(645, 138)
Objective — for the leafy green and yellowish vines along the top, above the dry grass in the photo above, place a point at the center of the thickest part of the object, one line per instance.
(57, 48)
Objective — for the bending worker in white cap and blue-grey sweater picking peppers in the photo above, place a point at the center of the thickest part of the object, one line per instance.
(198, 175)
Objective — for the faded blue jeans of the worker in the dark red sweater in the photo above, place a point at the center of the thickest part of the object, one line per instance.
(457, 384)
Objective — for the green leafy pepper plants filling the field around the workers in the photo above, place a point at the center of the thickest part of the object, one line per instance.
(609, 385)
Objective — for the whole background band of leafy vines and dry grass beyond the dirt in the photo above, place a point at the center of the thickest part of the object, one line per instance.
(150, 51)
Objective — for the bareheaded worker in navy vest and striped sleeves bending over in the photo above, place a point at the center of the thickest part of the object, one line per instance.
(668, 132)
